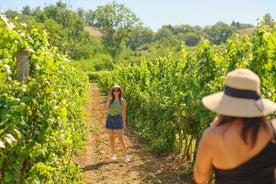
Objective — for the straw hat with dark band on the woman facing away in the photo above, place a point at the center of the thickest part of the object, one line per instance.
(241, 96)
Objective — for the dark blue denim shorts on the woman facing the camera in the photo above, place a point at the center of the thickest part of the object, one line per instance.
(114, 122)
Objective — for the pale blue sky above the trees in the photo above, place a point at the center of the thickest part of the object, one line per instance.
(155, 13)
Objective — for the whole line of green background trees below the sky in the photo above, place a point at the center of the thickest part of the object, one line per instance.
(124, 39)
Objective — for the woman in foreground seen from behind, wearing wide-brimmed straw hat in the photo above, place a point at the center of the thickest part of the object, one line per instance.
(240, 144)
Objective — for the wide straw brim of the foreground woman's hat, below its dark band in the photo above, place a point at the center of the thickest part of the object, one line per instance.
(238, 107)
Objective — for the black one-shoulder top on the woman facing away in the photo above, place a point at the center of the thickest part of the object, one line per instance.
(258, 170)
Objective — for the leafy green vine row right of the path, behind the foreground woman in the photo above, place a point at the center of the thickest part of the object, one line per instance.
(164, 93)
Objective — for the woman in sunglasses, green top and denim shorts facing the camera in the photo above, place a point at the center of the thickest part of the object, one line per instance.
(116, 119)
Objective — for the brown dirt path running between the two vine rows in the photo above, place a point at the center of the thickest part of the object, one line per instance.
(96, 164)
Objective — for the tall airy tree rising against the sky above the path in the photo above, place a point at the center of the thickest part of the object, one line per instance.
(115, 21)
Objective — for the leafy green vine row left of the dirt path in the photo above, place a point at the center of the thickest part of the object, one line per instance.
(40, 118)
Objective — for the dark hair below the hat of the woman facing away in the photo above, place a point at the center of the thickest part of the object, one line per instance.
(250, 127)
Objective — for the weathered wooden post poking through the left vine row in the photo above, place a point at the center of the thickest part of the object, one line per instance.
(22, 65)
